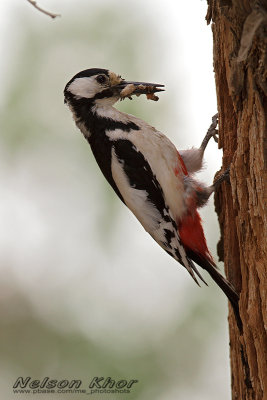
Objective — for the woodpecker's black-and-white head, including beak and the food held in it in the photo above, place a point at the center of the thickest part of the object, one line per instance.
(102, 87)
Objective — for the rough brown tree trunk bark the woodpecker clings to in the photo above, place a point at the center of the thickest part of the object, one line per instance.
(240, 57)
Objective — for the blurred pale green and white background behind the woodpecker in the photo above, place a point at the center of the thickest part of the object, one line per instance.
(84, 290)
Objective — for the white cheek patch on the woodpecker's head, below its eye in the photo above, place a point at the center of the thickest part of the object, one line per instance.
(84, 87)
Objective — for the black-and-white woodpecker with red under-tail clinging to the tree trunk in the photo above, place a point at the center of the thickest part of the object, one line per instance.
(150, 176)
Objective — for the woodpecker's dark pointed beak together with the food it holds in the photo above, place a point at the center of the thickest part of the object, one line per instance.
(129, 88)
